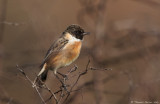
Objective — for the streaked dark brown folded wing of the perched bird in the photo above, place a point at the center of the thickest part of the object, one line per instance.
(55, 48)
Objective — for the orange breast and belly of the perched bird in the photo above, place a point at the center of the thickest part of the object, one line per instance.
(69, 54)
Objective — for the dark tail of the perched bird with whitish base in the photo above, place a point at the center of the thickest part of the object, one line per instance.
(42, 76)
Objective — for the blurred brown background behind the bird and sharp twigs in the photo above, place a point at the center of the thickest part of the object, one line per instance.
(124, 37)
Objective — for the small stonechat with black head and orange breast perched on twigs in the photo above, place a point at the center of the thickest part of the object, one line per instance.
(63, 51)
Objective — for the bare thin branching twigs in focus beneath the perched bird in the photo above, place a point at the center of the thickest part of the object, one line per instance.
(66, 88)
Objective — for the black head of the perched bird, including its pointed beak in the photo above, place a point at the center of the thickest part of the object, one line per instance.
(76, 31)
